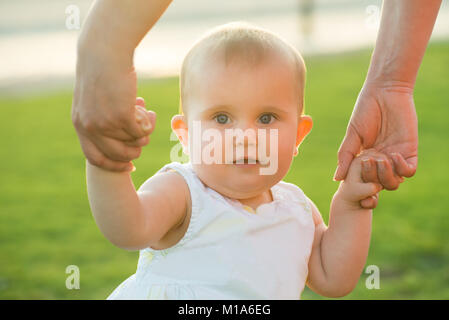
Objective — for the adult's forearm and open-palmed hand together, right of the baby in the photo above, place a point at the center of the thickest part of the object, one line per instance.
(384, 116)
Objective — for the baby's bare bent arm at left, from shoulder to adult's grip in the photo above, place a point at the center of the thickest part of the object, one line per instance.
(133, 219)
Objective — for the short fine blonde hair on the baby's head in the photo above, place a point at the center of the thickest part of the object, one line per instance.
(248, 43)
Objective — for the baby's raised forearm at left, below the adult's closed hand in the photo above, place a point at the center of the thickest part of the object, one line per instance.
(115, 205)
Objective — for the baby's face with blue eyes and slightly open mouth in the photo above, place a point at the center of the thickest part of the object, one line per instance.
(261, 98)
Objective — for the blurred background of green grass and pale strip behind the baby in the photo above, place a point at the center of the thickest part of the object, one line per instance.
(45, 220)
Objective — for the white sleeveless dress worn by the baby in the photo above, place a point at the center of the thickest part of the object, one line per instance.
(229, 251)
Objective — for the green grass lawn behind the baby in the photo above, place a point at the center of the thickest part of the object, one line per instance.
(46, 224)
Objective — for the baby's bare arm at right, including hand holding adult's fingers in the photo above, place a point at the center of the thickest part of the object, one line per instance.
(339, 251)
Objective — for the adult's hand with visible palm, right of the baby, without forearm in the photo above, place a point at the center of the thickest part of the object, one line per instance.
(384, 118)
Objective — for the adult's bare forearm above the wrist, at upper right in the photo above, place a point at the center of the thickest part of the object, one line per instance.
(405, 29)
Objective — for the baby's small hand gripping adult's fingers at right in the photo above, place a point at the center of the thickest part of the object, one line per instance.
(353, 189)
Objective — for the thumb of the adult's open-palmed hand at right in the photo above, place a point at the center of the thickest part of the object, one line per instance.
(349, 148)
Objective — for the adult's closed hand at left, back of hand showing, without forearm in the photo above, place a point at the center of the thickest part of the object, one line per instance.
(104, 116)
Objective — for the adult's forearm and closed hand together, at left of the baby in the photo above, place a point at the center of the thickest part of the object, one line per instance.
(103, 109)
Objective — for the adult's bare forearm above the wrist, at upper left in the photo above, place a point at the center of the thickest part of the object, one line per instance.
(114, 28)
